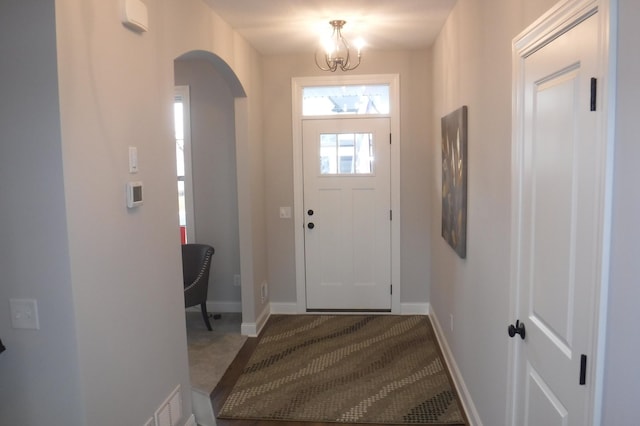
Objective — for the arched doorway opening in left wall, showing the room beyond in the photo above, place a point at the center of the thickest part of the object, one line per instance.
(211, 89)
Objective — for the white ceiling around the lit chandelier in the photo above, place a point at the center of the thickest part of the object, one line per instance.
(295, 26)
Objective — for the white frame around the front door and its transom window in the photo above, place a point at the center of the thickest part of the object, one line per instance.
(297, 84)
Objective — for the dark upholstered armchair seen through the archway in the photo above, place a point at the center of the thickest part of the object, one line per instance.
(196, 263)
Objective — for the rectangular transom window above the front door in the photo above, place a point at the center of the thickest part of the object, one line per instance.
(349, 99)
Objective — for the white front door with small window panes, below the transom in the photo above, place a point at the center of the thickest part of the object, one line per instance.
(347, 220)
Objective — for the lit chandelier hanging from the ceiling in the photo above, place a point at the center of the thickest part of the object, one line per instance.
(337, 52)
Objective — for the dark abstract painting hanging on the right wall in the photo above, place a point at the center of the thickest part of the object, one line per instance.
(454, 180)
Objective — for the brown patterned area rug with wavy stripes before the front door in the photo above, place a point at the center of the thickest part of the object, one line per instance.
(346, 368)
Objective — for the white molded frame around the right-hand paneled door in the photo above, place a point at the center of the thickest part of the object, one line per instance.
(558, 20)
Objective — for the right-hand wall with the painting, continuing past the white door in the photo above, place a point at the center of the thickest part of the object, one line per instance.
(472, 66)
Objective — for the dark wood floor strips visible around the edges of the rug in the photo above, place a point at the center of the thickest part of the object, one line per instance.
(224, 387)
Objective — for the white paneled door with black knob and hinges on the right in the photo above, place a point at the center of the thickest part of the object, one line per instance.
(558, 205)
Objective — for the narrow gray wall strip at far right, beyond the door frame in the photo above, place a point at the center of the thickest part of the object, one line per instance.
(622, 373)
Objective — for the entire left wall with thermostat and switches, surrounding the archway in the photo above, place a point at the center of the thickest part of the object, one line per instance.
(79, 90)
